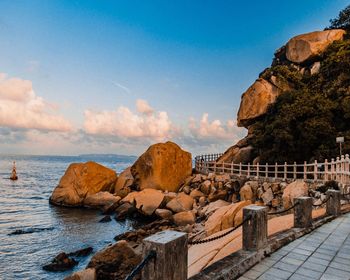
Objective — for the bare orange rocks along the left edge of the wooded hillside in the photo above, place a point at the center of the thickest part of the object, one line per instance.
(302, 53)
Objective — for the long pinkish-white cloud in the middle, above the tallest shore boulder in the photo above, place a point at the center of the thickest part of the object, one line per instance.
(124, 123)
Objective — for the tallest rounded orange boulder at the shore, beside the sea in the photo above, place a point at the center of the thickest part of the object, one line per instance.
(164, 166)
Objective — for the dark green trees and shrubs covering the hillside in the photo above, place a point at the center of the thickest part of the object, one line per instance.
(304, 122)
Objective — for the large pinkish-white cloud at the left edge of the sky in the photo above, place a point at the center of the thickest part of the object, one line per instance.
(20, 107)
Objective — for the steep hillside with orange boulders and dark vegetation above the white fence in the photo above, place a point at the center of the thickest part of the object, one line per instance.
(297, 107)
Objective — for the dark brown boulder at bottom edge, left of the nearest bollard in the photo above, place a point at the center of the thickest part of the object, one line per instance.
(115, 261)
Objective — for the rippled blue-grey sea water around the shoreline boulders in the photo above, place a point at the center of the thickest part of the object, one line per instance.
(24, 206)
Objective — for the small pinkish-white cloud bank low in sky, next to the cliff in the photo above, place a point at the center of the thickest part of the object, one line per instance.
(215, 129)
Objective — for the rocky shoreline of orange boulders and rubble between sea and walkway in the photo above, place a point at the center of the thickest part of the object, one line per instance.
(200, 205)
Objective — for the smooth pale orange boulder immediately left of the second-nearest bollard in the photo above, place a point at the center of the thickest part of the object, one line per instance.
(224, 217)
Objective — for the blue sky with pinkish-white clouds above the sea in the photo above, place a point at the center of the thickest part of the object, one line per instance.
(117, 76)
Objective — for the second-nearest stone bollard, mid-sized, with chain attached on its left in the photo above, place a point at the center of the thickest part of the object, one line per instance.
(255, 229)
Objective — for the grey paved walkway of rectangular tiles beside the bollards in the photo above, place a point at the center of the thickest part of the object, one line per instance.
(322, 254)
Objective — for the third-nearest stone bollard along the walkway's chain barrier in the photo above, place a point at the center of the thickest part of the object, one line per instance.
(303, 212)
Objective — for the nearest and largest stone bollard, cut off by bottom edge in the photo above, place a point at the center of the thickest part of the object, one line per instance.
(171, 256)
